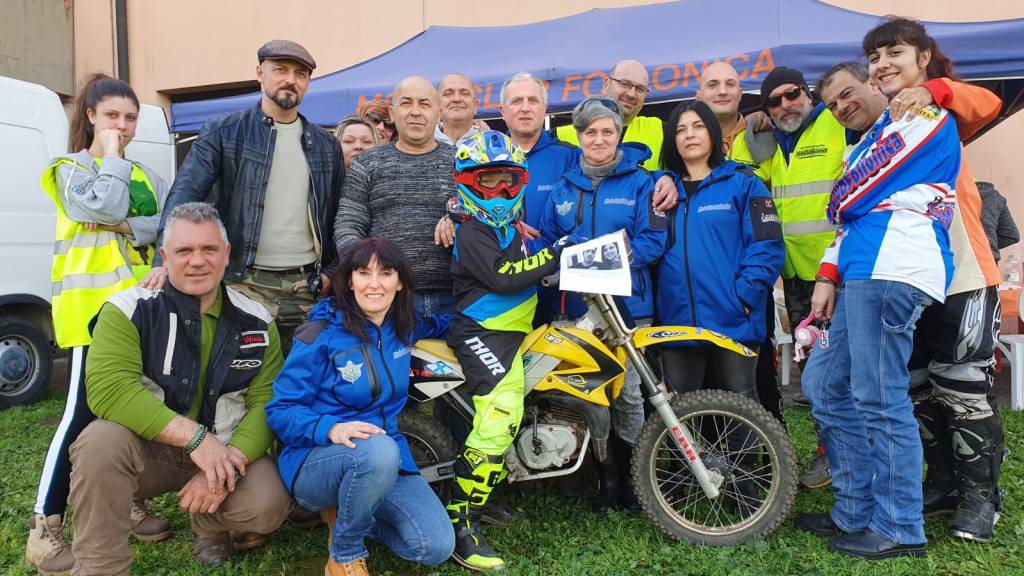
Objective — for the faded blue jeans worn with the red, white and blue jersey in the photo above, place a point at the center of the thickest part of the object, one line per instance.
(859, 391)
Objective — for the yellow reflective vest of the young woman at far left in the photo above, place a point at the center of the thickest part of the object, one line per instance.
(89, 267)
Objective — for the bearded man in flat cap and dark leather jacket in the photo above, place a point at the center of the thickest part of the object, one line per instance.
(279, 180)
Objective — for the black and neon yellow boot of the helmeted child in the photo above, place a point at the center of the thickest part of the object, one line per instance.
(476, 476)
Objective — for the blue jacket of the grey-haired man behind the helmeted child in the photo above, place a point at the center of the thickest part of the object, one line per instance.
(548, 161)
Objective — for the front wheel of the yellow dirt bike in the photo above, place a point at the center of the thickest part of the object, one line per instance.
(738, 438)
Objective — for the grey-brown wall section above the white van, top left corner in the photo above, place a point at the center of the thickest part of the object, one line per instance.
(37, 44)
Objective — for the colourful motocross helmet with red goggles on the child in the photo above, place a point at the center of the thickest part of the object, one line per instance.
(491, 173)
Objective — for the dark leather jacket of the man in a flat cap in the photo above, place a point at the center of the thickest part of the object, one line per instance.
(235, 152)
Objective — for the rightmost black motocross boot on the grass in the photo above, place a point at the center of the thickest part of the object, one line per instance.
(978, 454)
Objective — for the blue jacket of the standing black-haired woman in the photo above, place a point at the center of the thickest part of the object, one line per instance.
(724, 253)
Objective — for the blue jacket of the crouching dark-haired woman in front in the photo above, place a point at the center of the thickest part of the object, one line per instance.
(332, 377)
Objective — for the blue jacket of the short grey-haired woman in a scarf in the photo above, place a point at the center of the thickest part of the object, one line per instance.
(621, 201)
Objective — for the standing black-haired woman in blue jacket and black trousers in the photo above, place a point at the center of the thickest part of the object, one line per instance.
(723, 255)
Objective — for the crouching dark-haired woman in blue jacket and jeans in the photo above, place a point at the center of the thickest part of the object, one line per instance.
(336, 406)
